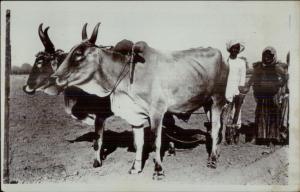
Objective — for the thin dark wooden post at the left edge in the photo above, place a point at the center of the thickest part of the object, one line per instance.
(7, 91)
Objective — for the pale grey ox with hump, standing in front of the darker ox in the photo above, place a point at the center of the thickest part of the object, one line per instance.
(178, 82)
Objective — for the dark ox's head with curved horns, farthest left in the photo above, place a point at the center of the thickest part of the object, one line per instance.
(45, 64)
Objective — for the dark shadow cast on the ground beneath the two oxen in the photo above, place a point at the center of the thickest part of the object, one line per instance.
(181, 139)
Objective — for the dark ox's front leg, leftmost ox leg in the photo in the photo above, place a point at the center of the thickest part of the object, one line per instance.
(99, 129)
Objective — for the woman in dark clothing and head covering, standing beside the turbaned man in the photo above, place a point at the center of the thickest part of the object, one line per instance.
(269, 76)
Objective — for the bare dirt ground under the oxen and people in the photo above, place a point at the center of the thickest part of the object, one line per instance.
(40, 151)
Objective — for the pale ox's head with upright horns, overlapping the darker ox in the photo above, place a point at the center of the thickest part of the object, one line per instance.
(81, 62)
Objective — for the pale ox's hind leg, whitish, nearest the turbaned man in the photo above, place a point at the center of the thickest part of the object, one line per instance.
(215, 134)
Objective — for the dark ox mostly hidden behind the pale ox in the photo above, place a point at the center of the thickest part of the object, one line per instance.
(88, 108)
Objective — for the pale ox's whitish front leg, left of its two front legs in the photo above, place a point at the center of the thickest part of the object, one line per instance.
(138, 135)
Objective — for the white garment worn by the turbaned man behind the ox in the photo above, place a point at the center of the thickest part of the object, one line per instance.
(236, 78)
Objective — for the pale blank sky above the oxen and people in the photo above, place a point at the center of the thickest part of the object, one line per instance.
(163, 25)
